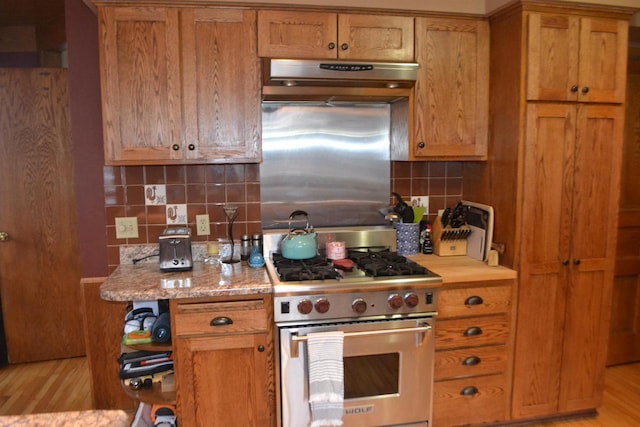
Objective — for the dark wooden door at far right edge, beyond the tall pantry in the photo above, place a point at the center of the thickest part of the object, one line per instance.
(624, 337)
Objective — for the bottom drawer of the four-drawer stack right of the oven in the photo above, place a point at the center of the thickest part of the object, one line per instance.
(470, 401)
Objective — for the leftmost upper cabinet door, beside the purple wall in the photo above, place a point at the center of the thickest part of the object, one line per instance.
(140, 84)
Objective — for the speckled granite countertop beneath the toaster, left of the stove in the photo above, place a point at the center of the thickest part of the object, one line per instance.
(145, 281)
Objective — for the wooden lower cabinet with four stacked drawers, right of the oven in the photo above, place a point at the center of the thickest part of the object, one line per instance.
(473, 353)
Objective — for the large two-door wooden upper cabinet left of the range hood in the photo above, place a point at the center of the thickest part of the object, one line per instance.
(179, 85)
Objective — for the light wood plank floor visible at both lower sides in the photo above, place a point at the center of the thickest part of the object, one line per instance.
(63, 385)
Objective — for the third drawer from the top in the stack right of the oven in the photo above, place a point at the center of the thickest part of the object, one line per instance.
(469, 362)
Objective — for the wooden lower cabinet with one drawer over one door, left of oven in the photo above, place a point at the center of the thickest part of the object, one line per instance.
(223, 355)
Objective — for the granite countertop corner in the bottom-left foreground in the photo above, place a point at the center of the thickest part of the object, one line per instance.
(100, 418)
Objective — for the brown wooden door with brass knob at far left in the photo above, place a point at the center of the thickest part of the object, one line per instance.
(39, 261)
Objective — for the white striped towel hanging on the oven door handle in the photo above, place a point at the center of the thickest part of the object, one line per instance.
(326, 377)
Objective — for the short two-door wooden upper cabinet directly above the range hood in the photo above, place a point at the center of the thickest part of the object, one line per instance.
(317, 35)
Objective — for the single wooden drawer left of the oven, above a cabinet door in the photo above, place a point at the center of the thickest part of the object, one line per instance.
(220, 318)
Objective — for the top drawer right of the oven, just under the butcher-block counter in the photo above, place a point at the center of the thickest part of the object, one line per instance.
(474, 301)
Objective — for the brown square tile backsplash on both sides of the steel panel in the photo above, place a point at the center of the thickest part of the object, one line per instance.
(162, 195)
